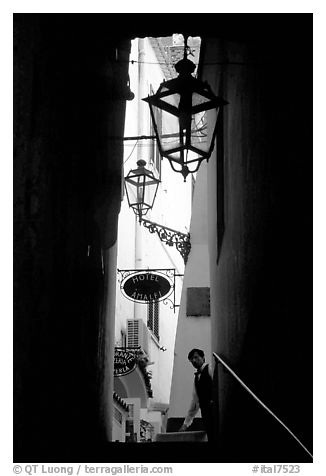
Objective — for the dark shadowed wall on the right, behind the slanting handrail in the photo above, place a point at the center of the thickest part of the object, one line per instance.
(262, 300)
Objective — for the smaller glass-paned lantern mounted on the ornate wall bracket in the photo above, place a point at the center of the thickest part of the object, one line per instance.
(141, 188)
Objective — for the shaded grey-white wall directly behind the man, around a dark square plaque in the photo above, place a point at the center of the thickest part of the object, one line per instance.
(192, 332)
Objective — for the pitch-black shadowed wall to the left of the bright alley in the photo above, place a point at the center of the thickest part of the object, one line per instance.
(69, 96)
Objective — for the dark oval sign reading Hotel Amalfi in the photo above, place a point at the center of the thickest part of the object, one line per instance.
(146, 287)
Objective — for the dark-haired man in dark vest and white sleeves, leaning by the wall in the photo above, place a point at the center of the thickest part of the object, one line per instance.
(202, 393)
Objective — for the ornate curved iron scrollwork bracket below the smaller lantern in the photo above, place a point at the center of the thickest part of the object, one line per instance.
(171, 237)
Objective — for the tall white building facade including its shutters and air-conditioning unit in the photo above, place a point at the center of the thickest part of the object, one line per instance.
(149, 325)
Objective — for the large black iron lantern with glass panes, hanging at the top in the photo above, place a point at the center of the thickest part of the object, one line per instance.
(189, 110)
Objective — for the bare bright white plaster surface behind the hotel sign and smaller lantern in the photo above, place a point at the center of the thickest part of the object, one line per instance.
(137, 247)
